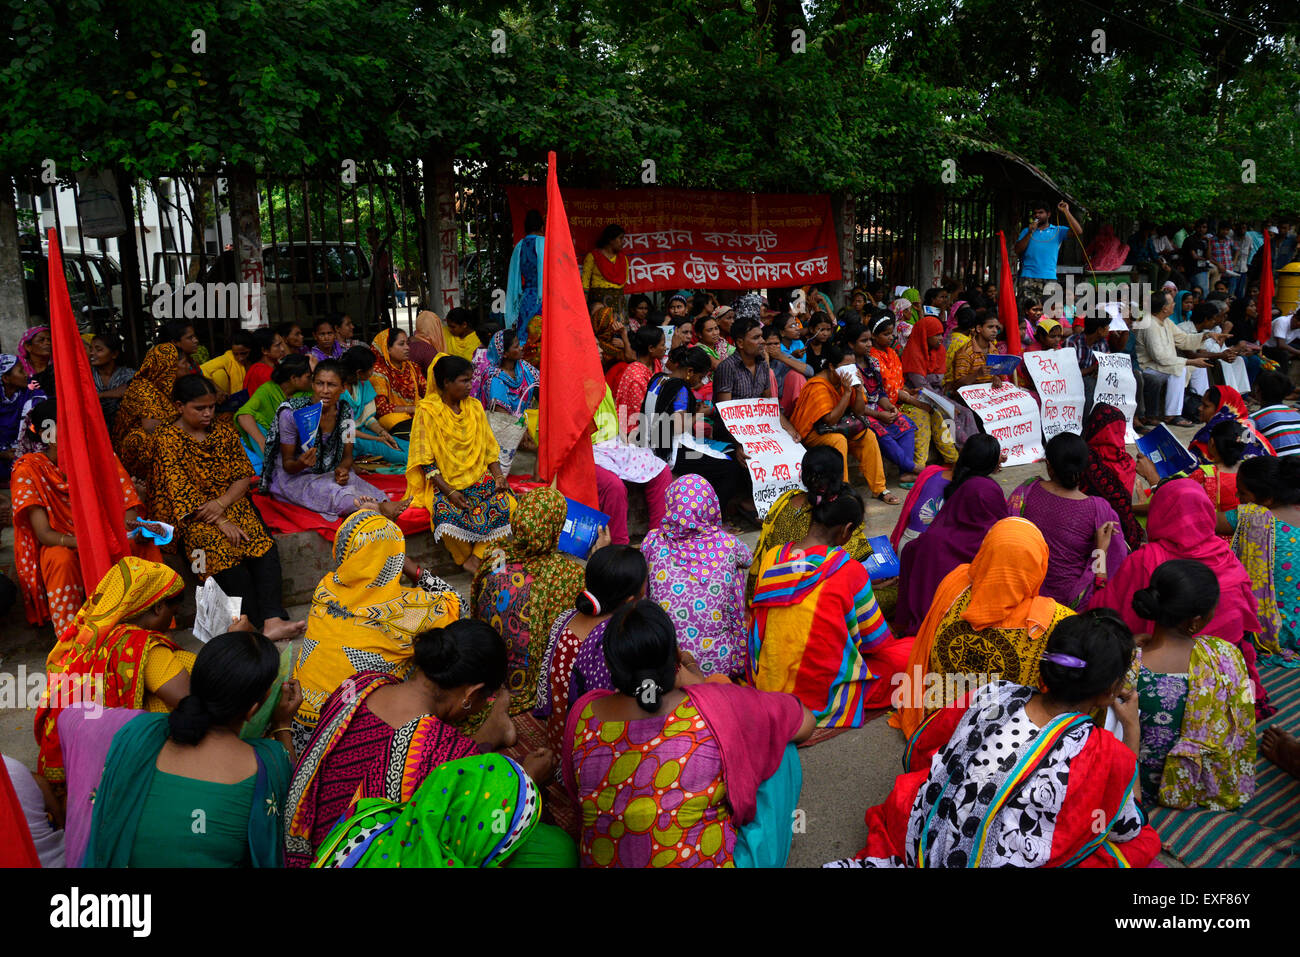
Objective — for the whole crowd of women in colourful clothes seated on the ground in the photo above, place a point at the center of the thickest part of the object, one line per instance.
(1077, 644)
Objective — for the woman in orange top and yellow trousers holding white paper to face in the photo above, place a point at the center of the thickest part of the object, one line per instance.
(829, 413)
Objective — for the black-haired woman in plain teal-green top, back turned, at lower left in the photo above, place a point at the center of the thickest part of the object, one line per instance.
(166, 776)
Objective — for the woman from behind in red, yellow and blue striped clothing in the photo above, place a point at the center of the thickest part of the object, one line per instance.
(818, 631)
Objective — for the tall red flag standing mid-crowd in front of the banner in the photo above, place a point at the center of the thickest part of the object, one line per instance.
(573, 380)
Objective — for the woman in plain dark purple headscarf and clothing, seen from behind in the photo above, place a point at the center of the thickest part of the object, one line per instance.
(972, 506)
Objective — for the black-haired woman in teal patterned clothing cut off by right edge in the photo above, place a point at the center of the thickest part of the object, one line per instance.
(1267, 539)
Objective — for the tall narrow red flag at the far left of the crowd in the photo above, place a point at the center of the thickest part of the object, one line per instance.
(85, 453)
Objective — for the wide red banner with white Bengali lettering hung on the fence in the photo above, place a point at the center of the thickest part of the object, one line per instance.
(701, 240)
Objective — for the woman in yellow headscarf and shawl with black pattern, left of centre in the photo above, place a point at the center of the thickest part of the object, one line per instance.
(363, 618)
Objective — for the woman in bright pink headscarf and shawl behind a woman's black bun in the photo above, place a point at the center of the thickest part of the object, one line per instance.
(1181, 526)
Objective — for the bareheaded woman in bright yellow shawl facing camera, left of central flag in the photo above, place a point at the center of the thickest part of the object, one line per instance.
(454, 467)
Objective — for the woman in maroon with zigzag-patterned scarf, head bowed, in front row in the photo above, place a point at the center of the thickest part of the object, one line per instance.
(382, 737)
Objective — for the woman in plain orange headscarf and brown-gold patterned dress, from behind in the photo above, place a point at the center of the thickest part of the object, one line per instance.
(987, 622)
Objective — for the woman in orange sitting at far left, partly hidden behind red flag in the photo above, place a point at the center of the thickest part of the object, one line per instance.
(45, 539)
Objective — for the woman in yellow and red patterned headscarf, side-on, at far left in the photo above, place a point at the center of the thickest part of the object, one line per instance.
(115, 655)
